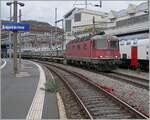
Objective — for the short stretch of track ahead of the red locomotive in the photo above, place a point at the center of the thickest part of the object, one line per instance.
(139, 82)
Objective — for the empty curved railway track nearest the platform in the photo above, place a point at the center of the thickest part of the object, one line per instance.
(95, 100)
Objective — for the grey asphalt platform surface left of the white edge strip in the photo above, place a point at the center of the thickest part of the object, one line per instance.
(17, 92)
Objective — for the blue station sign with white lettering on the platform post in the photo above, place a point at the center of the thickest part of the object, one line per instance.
(12, 26)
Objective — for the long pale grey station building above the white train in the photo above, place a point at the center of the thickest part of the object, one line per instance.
(131, 20)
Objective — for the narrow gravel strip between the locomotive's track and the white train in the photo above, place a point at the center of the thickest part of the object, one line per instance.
(142, 75)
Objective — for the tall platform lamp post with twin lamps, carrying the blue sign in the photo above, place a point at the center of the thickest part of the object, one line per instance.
(15, 4)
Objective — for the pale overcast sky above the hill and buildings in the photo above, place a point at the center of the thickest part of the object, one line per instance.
(45, 10)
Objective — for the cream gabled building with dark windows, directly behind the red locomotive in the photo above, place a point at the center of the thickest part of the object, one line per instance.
(78, 20)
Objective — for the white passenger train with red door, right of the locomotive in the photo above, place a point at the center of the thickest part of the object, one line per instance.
(134, 50)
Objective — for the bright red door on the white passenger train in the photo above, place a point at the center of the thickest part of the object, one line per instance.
(134, 56)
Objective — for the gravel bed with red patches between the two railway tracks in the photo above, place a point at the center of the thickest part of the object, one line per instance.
(135, 96)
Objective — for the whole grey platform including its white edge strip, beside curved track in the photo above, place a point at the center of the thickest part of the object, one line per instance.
(22, 96)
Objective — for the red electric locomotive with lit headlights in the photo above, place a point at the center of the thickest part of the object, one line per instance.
(100, 52)
